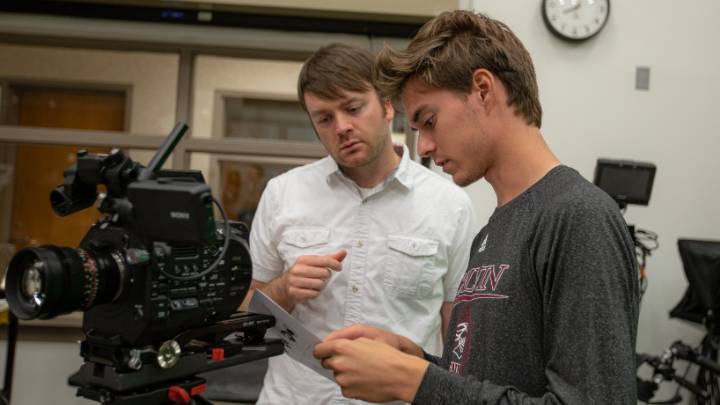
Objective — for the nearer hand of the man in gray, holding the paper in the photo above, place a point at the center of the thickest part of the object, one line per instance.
(372, 370)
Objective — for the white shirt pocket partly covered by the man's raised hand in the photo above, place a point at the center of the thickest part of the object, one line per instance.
(302, 241)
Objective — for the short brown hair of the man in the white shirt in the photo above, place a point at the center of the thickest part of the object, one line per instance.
(333, 68)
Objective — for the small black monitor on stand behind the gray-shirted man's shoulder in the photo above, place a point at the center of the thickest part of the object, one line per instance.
(627, 182)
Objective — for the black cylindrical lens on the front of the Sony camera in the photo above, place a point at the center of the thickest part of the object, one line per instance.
(49, 281)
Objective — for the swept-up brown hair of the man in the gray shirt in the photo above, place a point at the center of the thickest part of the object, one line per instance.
(450, 47)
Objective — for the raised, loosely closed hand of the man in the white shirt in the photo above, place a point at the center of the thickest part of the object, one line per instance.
(309, 276)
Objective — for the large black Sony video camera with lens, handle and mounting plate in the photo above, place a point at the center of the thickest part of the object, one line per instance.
(158, 280)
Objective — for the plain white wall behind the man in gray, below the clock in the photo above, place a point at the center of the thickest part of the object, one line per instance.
(592, 110)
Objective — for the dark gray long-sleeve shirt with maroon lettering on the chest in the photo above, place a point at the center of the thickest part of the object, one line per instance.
(547, 311)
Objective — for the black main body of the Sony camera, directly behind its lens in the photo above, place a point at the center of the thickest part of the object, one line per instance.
(150, 306)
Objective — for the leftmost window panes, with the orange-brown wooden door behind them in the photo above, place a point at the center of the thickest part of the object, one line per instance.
(73, 88)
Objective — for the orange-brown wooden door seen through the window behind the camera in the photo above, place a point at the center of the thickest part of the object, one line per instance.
(39, 168)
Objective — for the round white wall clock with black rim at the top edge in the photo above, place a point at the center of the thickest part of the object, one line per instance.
(575, 20)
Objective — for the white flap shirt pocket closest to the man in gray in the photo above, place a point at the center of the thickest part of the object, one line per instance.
(410, 265)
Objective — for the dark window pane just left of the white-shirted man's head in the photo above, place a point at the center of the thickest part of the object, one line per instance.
(267, 119)
